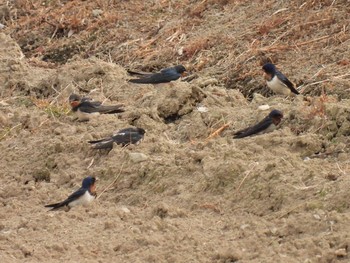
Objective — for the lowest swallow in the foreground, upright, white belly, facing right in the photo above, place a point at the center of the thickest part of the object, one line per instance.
(82, 196)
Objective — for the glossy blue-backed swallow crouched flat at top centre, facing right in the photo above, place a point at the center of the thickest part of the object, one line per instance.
(164, 76)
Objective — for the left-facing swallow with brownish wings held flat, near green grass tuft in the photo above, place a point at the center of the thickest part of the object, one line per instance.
(84, 107)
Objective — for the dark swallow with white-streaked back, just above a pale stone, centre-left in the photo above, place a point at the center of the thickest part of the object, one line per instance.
(124, 137)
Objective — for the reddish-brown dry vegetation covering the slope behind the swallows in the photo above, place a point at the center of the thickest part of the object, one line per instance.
(207, 36)
